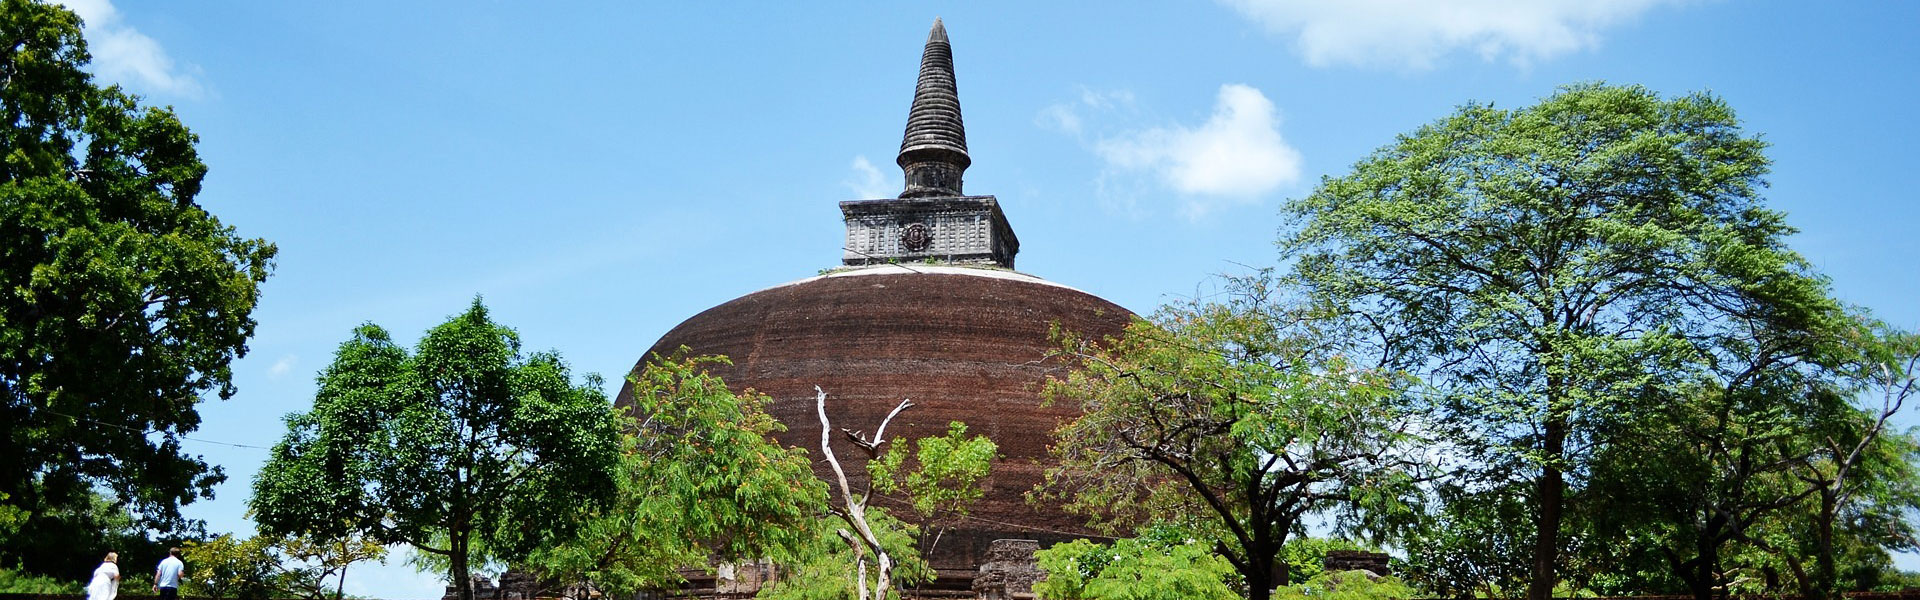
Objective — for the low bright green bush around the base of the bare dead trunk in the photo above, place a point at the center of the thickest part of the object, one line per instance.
(827, 568)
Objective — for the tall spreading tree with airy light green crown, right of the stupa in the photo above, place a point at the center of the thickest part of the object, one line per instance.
(1552, 268)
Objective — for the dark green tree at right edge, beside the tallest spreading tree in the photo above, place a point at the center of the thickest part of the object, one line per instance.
(1767, 441)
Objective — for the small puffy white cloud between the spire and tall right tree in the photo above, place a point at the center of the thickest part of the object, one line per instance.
(1236, 157)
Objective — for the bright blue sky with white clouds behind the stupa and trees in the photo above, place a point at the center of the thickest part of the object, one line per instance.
(604, 170)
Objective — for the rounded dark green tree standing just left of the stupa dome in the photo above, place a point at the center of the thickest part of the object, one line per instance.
(464, 449)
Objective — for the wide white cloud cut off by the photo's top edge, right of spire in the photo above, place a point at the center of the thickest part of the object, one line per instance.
(1416, 34)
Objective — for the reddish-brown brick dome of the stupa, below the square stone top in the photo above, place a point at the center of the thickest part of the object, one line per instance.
(965, 343)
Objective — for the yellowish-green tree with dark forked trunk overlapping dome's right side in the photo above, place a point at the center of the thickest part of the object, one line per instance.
(1234, 416)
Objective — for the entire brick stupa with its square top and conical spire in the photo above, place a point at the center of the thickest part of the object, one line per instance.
(926, 307)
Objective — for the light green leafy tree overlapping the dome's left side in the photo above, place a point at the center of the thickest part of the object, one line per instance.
(700, 480)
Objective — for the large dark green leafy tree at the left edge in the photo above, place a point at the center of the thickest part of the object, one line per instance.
(122, 301)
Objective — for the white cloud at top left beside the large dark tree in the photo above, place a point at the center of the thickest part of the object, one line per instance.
(128, 57)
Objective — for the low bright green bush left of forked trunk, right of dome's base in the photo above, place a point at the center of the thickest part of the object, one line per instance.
(1134, 570)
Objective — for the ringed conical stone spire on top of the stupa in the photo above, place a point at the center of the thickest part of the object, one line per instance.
(934, 149)
